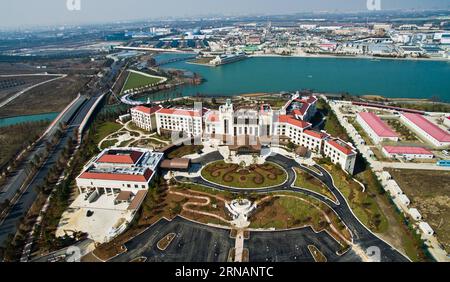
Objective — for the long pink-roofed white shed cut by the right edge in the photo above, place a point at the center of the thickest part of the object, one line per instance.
(426, 129)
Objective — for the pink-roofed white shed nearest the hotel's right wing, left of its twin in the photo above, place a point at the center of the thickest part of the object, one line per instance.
(375, 128)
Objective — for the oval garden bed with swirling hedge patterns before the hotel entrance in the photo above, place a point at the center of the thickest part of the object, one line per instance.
(239, 176)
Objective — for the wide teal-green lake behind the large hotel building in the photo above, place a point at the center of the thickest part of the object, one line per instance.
(390, 78)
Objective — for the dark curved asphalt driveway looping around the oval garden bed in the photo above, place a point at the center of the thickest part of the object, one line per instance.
(362, 236)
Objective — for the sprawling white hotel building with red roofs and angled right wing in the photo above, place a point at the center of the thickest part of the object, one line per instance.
(228, 122)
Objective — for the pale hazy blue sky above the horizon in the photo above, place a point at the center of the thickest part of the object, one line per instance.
(15, 13)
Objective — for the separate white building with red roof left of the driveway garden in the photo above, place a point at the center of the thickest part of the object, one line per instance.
(117, 169)
